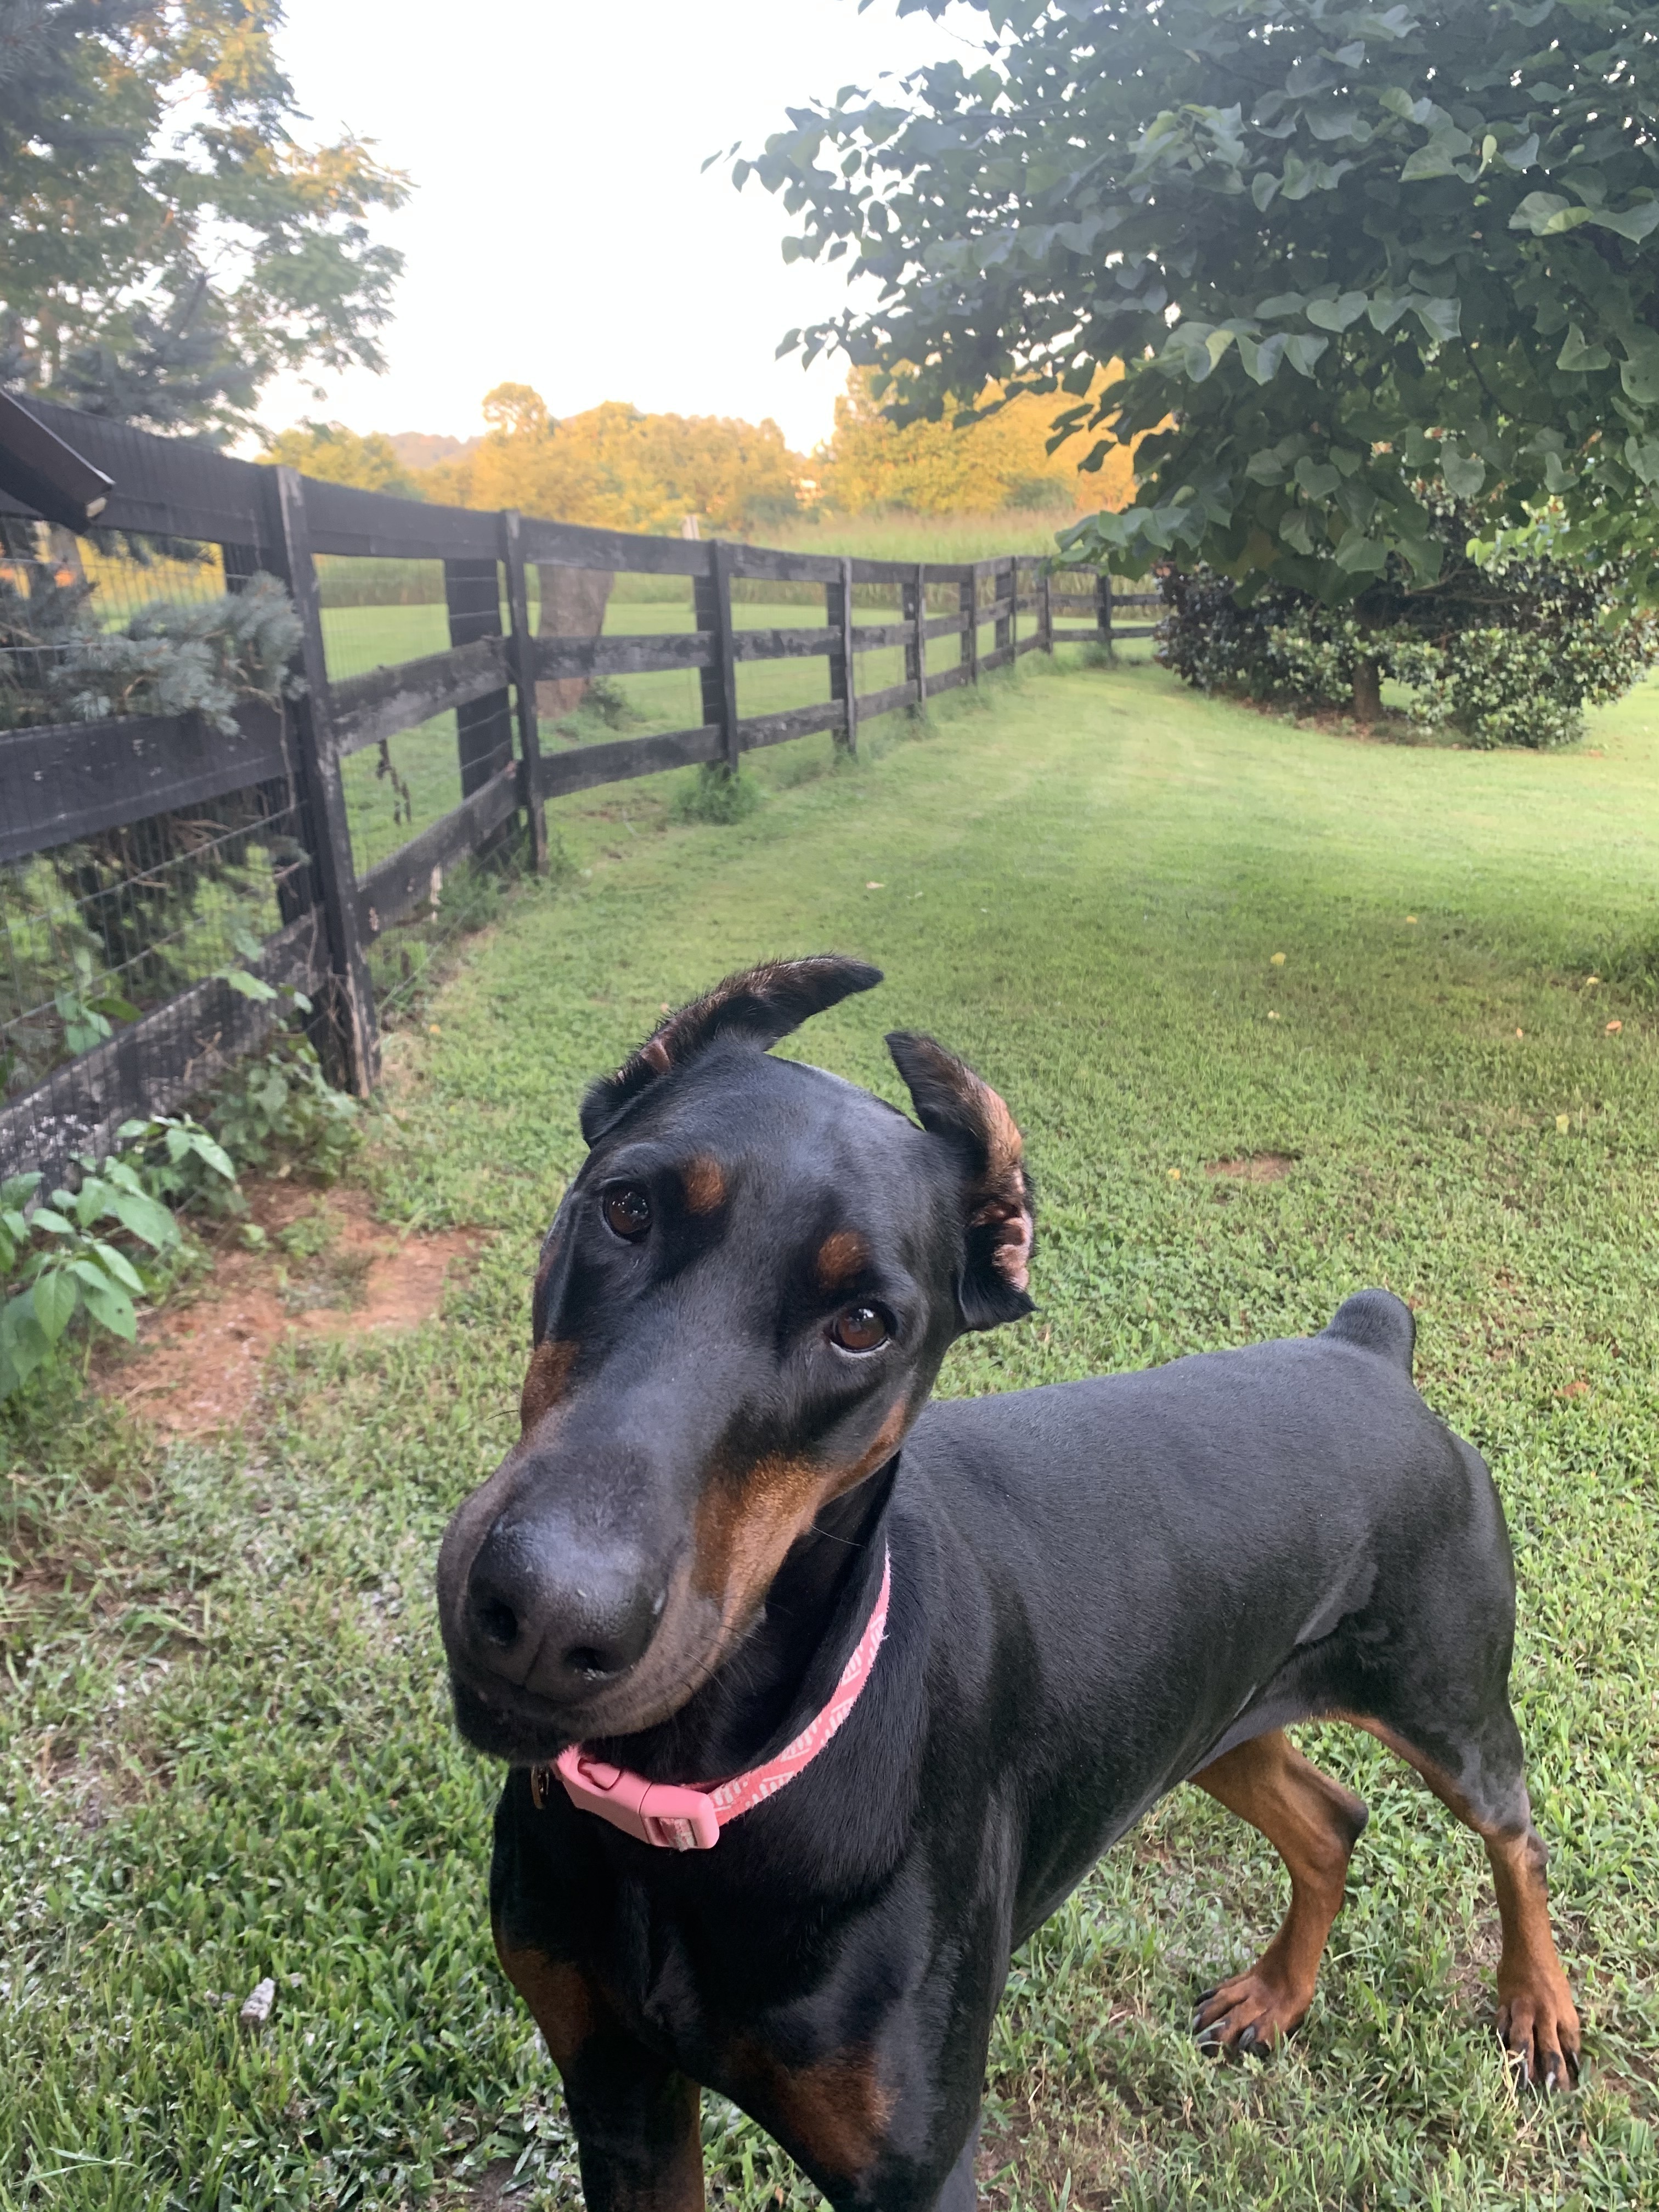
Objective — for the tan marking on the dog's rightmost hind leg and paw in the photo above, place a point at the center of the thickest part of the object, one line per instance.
(1536, 2016)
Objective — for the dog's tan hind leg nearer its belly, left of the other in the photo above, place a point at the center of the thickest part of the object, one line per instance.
(1315, 1826)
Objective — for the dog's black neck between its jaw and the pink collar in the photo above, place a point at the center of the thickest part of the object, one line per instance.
(786, 1669)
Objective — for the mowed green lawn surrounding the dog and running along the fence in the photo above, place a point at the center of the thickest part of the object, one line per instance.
(227, 1746)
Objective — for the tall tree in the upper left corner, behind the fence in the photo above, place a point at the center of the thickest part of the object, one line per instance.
(169, 242)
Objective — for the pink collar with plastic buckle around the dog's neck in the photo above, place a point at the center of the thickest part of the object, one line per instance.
(693, 1819)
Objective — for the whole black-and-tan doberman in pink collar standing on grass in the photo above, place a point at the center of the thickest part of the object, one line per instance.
(915, 1667)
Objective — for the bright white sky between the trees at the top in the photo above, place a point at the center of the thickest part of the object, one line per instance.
(561, 233)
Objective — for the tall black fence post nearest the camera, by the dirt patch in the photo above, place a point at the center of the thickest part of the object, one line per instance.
(320, 769)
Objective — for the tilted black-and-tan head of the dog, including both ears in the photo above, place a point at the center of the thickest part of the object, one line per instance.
(740, 1311)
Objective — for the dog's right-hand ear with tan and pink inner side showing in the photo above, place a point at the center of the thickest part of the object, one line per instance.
(957, 1105)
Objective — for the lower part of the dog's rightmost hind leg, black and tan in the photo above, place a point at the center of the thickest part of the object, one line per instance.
(1536, 2016)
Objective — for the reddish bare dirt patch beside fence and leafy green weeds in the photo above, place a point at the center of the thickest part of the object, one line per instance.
(326, 1271)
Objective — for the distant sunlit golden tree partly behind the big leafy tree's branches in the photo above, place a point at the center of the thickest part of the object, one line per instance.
(937, 470)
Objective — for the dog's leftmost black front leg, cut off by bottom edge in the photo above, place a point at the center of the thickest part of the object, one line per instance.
(636, 2116)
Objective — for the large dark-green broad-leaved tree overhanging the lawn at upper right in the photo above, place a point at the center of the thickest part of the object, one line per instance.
(1361, 258)
